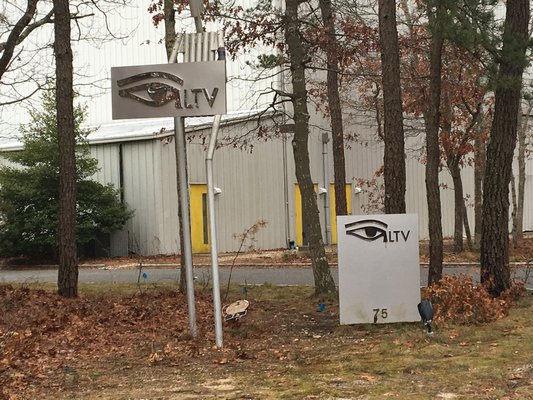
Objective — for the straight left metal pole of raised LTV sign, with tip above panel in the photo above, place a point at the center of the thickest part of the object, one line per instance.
(181, 162)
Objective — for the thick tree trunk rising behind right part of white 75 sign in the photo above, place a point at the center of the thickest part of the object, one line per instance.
(394, 157)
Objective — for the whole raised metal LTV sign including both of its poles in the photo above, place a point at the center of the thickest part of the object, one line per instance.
(181, 90)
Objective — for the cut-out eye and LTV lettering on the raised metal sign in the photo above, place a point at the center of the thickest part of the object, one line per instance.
(157, 94)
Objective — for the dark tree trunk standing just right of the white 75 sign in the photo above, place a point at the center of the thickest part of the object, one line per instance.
(432, 122)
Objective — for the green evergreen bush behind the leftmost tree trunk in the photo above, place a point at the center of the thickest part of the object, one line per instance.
(29, 190)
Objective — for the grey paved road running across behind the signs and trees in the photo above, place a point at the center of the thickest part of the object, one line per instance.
(240, 275)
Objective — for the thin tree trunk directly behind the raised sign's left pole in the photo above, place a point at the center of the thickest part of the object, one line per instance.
(170, 37)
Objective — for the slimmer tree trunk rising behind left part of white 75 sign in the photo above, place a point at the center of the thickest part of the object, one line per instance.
(335, 109)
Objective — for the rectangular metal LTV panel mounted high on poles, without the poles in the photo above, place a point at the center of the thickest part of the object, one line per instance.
(169, 90)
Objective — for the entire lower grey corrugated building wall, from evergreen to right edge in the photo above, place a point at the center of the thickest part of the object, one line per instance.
(252, 185)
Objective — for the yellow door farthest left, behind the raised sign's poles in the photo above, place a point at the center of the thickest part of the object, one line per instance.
(199, 220)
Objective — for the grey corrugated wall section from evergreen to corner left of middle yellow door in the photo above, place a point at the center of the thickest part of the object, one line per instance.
(251, 184)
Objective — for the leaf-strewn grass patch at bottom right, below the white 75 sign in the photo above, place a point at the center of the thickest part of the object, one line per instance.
(401, 360)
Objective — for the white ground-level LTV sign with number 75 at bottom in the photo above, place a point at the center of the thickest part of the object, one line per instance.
(379, 272)
